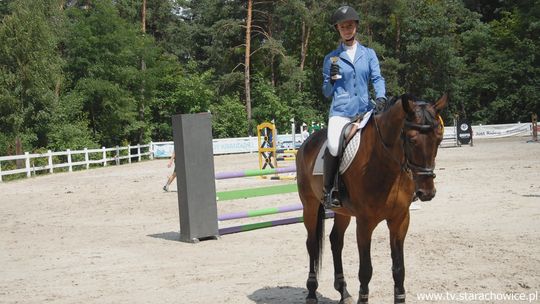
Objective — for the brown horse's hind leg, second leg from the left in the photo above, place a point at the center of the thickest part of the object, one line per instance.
(341, 222)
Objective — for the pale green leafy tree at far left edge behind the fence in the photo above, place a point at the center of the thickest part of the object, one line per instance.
(29, 69)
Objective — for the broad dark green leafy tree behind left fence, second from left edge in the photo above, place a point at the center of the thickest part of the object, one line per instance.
(112, 67)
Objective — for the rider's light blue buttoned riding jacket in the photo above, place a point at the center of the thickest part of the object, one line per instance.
(350, 94)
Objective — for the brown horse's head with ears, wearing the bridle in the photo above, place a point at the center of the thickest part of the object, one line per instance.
(422, 134)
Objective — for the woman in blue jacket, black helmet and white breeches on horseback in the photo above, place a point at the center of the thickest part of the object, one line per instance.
(347, 71)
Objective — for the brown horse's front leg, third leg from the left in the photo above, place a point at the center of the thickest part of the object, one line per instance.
(363, 239)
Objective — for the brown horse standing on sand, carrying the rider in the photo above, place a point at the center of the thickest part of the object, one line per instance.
(394, 165)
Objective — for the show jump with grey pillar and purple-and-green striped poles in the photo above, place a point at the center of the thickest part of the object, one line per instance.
(196, 182)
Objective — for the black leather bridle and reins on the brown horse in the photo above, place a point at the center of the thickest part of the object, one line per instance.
(407, 165)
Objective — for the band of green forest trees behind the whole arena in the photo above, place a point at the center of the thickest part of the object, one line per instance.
(92, 73)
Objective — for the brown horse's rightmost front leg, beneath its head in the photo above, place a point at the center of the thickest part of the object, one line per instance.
(398, 231)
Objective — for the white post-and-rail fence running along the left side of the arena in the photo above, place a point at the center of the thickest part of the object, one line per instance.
(104, 157)
